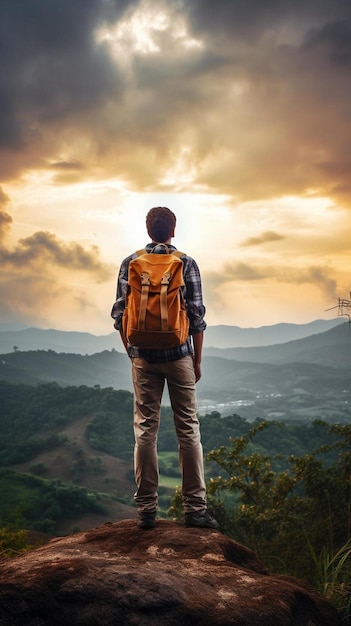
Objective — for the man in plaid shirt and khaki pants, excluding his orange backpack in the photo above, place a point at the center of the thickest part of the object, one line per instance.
(181, 368)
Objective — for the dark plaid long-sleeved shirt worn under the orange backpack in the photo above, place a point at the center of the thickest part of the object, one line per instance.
(195, 308)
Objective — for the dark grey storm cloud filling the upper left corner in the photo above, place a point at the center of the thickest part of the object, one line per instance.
(51, 68)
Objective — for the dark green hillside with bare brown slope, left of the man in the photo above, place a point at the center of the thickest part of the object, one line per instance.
(59, 472)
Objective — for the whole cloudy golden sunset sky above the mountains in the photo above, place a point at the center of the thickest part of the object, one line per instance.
(235, 114)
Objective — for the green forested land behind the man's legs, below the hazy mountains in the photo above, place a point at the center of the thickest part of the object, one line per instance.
(283, 489)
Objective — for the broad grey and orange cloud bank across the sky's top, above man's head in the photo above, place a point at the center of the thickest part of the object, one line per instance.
(245, 99)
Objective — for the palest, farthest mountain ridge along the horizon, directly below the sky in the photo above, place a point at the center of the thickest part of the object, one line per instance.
(215, 336)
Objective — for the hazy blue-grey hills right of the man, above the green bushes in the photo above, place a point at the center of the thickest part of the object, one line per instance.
(303, 379)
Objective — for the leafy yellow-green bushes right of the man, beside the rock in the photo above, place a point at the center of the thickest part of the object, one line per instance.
(293, 511)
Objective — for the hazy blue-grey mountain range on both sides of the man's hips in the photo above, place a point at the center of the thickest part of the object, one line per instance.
(306, 378)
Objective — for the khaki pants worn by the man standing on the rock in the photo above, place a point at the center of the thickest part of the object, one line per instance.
(149, 380)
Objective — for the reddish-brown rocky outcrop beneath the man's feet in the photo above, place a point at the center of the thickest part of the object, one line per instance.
(118, 574)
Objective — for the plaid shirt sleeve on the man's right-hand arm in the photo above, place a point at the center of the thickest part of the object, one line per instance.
(193, 296)
